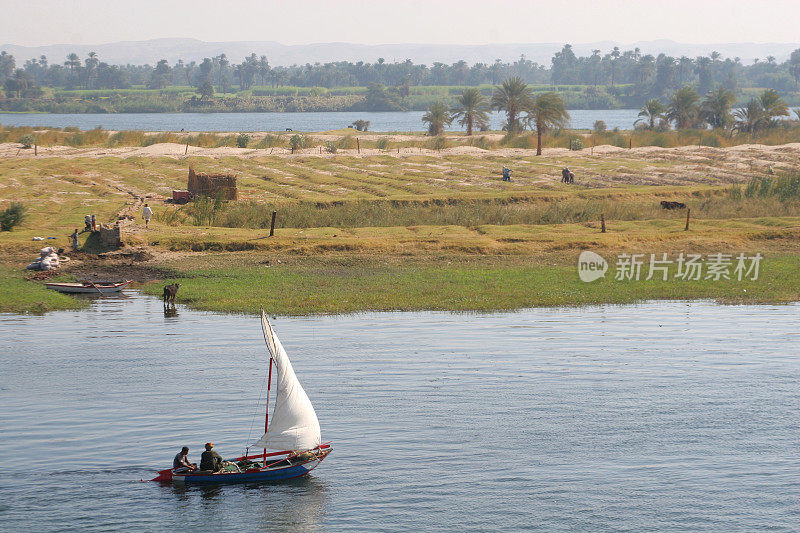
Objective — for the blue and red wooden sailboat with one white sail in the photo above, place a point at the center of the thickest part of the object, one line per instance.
(292, 443)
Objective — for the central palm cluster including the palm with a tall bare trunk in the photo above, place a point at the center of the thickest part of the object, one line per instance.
(523, 110)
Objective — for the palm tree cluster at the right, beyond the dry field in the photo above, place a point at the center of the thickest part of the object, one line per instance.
(687, 110)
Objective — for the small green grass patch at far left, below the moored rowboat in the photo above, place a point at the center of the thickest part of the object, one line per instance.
(20, 296)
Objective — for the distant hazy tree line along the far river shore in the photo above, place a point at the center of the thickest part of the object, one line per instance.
(641, 76)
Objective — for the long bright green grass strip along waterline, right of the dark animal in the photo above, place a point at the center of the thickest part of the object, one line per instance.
(482, 285)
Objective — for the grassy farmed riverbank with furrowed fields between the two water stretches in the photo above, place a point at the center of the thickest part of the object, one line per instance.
(424, 230)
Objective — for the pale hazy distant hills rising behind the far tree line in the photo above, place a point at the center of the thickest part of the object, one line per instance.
(142, 52)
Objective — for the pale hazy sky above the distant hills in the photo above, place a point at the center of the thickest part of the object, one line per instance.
(43, 22)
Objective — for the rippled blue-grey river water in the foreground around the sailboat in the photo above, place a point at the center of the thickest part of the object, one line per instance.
(661, 416)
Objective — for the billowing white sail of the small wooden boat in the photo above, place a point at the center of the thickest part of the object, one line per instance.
(293, 424)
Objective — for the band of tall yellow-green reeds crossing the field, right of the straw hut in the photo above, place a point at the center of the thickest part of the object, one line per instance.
(473, 213)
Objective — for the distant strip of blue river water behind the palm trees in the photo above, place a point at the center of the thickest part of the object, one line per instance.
(318, 121)
